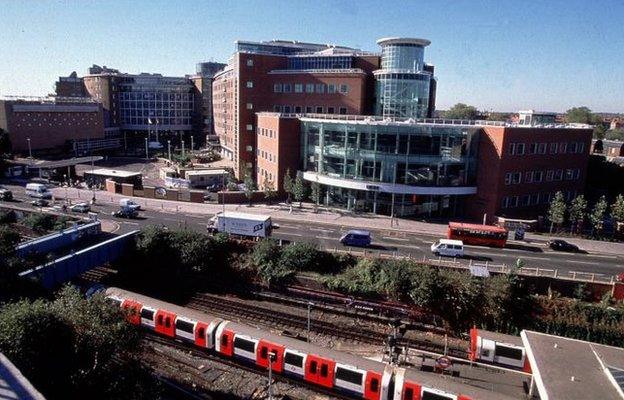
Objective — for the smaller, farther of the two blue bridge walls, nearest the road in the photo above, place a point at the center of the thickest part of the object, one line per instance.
(58, 240)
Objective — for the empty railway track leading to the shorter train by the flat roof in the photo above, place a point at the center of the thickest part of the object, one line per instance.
(252, 313)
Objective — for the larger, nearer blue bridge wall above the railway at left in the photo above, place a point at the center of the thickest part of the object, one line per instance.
(65, 268)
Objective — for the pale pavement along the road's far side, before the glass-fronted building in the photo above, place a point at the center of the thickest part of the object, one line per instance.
(281, 212)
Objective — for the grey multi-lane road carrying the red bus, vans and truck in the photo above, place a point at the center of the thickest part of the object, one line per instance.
(385, 241)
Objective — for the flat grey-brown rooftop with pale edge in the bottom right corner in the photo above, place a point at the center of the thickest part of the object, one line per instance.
(574, 369)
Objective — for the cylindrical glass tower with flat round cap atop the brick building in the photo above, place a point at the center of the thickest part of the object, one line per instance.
(402, 84)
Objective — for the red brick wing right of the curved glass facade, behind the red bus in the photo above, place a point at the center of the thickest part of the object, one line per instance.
(520, 169)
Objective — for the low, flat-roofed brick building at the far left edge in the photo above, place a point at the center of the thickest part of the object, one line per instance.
(51, 125)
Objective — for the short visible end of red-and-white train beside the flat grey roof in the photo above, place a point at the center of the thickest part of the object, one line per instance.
(498, 349)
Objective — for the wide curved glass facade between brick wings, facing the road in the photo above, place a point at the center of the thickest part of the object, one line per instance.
(390, 158)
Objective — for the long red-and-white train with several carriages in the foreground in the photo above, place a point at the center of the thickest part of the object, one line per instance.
(340, 372)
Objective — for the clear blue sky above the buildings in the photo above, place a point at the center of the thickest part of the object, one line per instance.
(501, 55)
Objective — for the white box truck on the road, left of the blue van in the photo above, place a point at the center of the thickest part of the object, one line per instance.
(236, 223)
